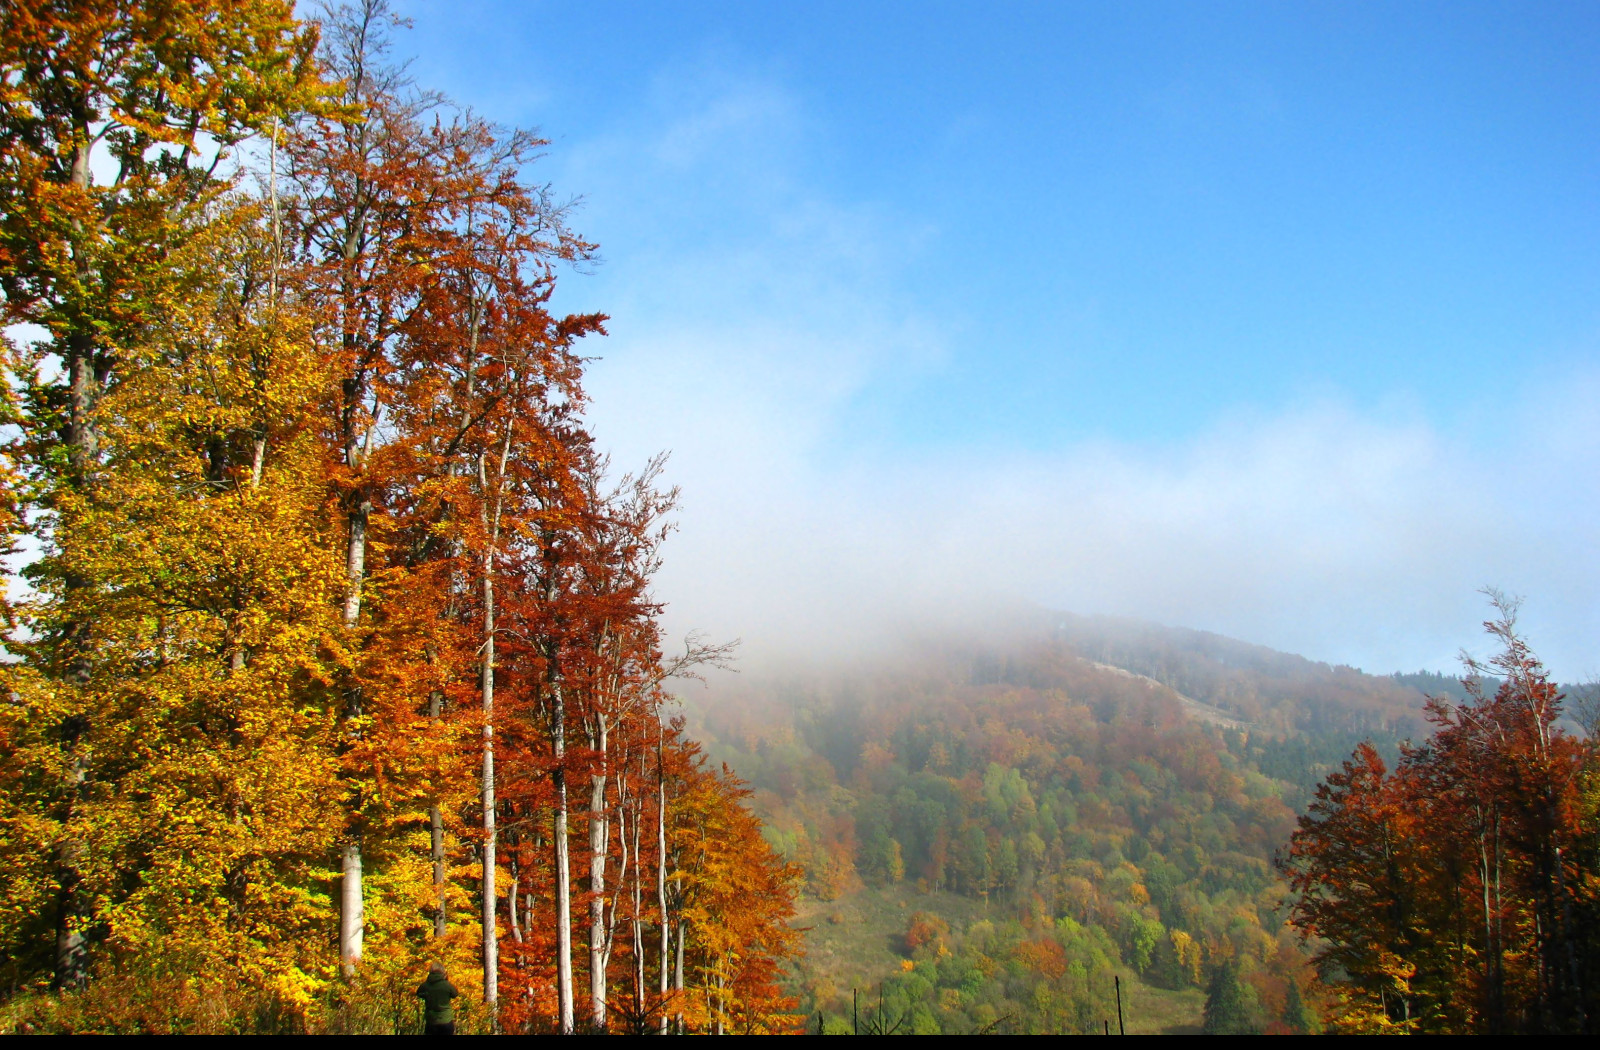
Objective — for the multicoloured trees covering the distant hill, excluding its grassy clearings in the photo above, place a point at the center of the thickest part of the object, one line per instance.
(1097, 828)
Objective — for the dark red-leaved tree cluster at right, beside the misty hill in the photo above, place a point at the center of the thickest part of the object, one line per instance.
(1460, 891)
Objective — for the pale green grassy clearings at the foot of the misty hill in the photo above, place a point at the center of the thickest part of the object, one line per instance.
(858, 940)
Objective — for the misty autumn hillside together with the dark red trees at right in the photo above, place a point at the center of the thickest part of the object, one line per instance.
(1100, 824)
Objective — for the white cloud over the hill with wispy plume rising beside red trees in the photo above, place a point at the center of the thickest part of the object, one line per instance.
(753, 313)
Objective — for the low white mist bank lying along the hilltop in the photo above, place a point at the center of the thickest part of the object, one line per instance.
(1324, 532)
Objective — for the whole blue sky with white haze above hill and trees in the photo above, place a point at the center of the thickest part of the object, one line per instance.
(1281, 321)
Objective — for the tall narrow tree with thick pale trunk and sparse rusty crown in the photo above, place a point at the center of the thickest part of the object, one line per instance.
(362, 242)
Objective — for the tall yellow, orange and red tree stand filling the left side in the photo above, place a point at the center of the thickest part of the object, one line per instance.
(337, 649)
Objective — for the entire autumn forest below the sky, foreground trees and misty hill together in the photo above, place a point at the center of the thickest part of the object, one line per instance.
(332, 652)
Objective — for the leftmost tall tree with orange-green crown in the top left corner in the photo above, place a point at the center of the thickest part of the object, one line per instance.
(116, 122)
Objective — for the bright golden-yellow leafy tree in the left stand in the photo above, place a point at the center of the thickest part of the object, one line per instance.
(212, 596)
